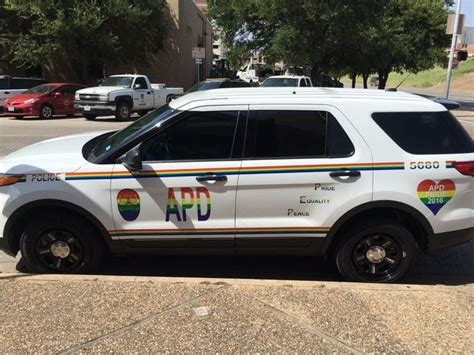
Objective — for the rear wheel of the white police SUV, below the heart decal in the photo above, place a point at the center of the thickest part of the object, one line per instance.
(375, 253)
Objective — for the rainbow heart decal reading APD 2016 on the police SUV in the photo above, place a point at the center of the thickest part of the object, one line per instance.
(436, 194)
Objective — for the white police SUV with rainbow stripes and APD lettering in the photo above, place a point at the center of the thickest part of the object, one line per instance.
(365, 177)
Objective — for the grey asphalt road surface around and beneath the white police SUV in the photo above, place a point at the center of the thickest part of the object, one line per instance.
(453, 266)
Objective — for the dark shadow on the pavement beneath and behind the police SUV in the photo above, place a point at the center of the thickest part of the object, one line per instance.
(428, 269)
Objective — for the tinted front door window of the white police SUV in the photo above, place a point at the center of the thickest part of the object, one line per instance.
(203, 135)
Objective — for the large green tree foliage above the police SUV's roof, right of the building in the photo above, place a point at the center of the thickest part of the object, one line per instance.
(337, 37)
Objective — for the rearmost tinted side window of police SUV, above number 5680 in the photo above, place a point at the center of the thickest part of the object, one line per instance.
(425, 132)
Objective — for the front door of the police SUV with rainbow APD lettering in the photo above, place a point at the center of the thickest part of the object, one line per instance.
(185, 194)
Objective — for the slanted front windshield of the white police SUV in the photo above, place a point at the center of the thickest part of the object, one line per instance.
(129, 133)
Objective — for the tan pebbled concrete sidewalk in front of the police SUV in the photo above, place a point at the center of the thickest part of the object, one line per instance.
(77, 314)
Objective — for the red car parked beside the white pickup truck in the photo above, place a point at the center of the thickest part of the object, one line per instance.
(43, 101)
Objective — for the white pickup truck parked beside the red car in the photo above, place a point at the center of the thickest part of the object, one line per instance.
(121, 95)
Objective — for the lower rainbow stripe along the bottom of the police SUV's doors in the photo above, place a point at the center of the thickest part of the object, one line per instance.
(140, 233)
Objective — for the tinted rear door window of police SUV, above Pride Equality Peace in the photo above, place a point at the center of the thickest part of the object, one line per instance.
(295, 134)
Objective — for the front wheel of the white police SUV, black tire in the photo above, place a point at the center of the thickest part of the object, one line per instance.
(61, 244)
